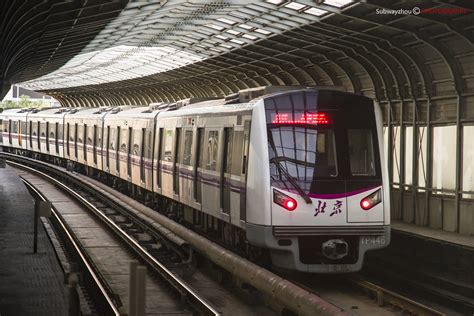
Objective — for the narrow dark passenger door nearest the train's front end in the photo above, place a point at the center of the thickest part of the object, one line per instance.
(226, 170)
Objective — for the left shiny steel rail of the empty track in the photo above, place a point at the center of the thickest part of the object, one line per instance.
(110, 308)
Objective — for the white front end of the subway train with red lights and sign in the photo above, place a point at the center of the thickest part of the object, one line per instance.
(329, 199)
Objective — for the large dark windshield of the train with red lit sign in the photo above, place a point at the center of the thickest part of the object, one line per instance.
(321, 142)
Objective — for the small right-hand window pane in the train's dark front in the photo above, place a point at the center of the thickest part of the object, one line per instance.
(361, 152)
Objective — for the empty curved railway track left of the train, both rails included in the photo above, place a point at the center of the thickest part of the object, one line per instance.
(105, 258)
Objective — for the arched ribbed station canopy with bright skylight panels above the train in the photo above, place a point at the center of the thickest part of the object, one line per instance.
(170, 50)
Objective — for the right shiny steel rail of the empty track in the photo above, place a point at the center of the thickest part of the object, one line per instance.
(180, 285)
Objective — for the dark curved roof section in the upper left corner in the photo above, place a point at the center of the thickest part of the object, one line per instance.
(38, 37)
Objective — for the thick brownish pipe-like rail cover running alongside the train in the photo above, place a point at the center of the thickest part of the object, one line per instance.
(292, 297)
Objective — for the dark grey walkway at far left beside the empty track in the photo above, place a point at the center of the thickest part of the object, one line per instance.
(30, 284)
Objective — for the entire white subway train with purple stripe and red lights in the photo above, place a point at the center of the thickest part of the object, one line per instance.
(291, 174)
